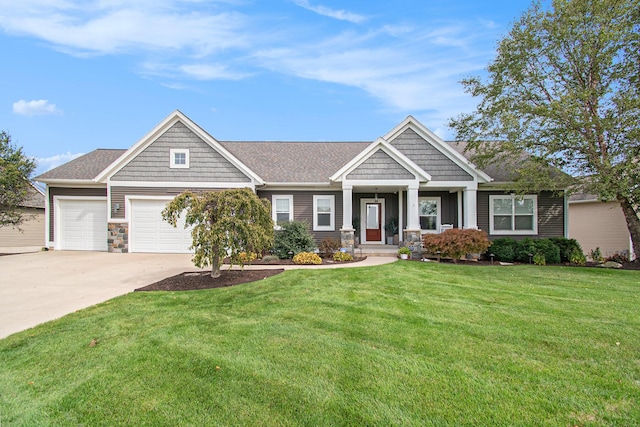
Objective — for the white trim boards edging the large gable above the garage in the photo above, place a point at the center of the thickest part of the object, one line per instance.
(162, 127)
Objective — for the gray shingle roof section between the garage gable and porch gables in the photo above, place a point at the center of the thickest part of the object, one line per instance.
(295, 162)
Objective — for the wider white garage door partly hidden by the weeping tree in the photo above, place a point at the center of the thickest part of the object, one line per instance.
(149, 233)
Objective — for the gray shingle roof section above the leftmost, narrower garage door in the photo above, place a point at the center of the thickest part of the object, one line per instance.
(85, 167)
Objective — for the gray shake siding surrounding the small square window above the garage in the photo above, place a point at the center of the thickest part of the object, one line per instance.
(205, 165)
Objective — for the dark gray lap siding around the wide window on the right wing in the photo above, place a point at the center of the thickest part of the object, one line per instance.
(551, 215)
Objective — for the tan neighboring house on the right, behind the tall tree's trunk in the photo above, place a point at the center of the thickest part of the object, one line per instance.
(596, 224)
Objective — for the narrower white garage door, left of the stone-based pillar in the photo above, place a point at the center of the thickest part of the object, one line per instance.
(83, 225)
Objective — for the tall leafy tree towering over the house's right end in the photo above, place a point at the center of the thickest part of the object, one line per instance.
(564, 88)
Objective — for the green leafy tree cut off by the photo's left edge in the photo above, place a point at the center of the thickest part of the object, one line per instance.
(15, 173)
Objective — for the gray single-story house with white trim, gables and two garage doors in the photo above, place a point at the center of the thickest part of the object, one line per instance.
(112, 199)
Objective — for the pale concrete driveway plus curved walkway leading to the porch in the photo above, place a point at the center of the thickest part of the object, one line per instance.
(43, 286)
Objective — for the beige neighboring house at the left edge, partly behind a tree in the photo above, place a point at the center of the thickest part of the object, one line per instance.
(30, 236)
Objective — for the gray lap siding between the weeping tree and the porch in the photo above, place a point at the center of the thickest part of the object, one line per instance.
(303, 209)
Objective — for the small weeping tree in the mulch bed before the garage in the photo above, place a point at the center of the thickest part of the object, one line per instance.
(225, 223)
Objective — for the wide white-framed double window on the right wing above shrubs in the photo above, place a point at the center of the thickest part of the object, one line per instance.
(513, 214)
